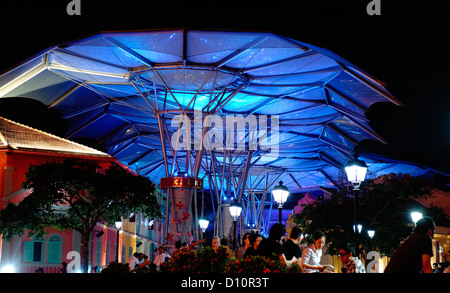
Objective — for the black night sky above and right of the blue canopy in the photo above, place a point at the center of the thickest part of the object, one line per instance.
(407, 47)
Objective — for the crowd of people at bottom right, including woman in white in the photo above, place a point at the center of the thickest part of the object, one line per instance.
(412, 256)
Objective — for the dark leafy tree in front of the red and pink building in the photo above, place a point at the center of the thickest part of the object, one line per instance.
(86, 193)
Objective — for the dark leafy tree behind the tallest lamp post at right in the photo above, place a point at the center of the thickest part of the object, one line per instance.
(385, 204)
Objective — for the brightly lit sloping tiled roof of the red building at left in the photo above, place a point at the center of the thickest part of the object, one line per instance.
(17, 136)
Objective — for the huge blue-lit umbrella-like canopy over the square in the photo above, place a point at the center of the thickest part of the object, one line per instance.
(124, 88)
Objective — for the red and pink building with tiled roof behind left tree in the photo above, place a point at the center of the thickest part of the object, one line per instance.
(21, 146)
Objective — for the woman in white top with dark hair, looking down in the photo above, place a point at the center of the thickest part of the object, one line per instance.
(312, 254)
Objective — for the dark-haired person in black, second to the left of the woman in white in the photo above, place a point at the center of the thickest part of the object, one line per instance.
(271, 247)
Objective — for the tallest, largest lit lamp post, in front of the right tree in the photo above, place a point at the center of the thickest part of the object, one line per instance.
(356, 172)
